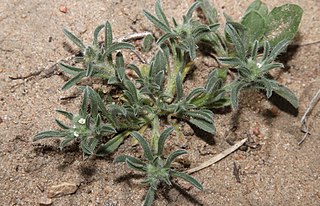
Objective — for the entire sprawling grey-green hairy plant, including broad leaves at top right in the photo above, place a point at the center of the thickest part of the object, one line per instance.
(155, 92)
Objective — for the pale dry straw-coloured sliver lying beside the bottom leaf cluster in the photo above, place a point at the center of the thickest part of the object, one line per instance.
(218, 157)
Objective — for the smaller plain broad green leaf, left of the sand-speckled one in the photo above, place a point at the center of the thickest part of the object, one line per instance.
(255, 27)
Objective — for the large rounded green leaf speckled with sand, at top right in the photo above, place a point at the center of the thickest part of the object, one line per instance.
(283, 23)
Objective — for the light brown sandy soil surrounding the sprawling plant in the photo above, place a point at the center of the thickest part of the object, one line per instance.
(274, 170)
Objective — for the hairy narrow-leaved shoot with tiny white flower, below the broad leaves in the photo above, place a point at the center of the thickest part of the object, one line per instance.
(253, 71)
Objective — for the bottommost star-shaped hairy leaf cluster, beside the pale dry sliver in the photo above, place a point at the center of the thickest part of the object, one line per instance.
(156, 168)
